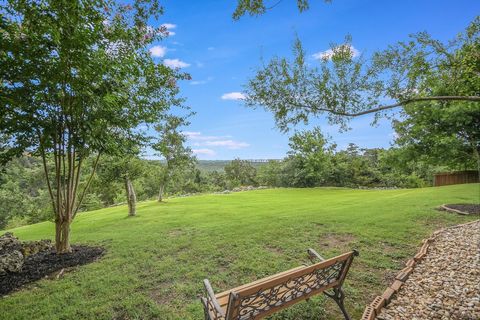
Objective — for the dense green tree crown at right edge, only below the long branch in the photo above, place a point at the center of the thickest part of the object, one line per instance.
(448, 136)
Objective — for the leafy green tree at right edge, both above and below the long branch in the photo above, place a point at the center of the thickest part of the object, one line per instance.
(448, 132)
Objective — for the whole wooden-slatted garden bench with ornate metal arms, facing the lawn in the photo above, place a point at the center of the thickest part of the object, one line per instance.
(263, 297)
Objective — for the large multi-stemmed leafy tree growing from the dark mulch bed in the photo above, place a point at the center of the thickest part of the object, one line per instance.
(77, 81)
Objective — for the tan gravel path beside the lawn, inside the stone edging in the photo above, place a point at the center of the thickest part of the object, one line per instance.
(445, 284)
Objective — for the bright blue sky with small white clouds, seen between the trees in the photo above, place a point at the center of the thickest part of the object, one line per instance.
(220, 54)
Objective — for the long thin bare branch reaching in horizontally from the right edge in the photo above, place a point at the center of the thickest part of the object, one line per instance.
(392, 106)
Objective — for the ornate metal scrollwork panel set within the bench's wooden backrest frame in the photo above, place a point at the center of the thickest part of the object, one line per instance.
(266, 299)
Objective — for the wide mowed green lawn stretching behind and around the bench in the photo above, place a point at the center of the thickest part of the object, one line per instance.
(155, 262)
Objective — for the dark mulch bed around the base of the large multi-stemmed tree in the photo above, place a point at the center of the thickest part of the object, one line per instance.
(44, 263)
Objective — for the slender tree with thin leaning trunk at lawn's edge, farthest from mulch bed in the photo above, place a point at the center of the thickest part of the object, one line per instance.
(170, 144)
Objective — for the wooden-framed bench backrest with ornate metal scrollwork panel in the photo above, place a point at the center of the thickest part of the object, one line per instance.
(258, 301)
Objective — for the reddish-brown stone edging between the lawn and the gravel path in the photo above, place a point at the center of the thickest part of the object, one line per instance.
(374, 308)
